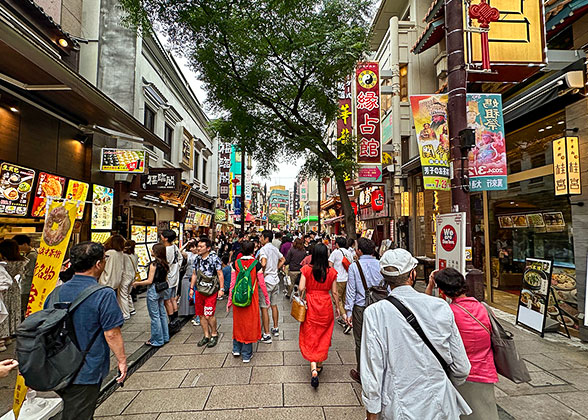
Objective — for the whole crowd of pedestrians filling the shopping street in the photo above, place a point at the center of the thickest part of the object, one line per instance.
(417, 356)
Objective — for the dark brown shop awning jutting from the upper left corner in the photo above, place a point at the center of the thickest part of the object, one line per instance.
(35, 73)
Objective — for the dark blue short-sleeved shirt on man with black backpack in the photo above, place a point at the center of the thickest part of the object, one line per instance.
(99, 312)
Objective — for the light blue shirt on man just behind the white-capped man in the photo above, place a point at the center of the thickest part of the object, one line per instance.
(355, 293)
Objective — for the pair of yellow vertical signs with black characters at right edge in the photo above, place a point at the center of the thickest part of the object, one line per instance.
(566, 166)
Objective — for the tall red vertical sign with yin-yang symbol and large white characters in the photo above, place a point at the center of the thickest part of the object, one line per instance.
(367, 103)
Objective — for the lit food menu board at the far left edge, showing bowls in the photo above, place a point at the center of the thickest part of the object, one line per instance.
(16, 184)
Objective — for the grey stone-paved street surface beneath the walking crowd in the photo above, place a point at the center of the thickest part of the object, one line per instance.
(183, 381)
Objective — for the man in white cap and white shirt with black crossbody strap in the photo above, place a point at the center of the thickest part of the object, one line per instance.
(402, 376)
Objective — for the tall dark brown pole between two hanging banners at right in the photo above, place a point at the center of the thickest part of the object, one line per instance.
(456, 108)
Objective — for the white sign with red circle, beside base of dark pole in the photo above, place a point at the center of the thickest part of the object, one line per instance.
(451, 233)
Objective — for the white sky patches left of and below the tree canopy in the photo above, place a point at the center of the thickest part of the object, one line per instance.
(287, 172)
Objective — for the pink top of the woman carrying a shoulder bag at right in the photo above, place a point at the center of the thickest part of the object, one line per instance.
(476, 339)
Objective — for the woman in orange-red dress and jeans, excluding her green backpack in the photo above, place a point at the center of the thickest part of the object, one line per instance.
(246, 320)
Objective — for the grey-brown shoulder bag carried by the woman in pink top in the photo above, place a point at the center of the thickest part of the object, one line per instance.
(506, 358)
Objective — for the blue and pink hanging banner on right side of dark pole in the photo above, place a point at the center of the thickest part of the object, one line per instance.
(487, 161)
